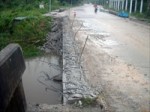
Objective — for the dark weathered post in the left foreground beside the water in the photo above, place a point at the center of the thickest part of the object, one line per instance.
(12, 66)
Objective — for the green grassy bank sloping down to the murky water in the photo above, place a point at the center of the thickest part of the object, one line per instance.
(26, 26)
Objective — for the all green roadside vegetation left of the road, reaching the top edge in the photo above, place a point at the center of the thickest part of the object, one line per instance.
(23, 22)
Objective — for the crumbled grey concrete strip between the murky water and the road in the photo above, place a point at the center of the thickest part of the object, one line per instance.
(72, 70)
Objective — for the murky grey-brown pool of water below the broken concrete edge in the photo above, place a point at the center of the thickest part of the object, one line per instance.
(37, 80)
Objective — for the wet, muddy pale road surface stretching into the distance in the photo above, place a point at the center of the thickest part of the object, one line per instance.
(116, 57)
